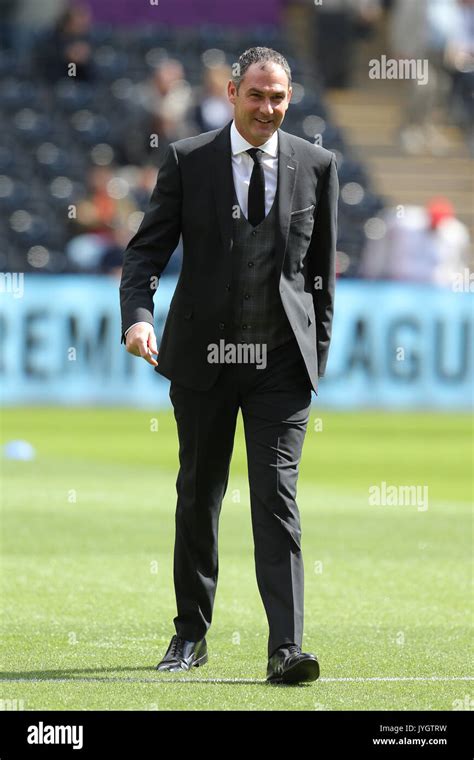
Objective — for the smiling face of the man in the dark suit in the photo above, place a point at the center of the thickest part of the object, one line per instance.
(261, 102)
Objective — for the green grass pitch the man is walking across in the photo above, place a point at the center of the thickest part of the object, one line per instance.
(87, 546)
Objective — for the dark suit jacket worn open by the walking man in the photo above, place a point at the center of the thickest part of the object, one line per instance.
(193, 196)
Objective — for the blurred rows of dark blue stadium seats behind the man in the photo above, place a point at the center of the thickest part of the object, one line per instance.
(50, 130)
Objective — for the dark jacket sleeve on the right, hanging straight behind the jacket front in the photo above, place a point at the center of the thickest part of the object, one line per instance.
(323, 261)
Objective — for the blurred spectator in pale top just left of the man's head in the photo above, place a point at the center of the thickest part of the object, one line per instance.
(213, 109)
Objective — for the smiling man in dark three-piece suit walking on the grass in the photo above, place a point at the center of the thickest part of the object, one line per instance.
(249, 327)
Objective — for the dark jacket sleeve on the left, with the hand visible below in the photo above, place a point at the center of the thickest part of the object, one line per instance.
(150, 249)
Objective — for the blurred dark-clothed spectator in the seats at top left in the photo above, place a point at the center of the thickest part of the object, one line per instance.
(68, 43)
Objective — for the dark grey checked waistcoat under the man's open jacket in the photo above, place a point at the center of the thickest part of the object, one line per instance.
(258, 315)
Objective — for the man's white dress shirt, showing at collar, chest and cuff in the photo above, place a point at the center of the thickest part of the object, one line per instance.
(242, 167)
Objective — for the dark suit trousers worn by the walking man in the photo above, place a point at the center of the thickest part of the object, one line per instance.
(275, 404)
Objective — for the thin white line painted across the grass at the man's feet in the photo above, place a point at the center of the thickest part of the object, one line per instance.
(99, 679)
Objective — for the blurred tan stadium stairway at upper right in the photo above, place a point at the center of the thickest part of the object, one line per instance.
(370, 115)
